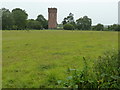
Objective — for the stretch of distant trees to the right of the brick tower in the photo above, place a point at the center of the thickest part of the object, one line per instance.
(85, 23)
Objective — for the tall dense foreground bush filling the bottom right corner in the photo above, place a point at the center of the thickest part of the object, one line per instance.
(107, 69)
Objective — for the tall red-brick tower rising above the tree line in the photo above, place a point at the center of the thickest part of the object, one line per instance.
(52, 18)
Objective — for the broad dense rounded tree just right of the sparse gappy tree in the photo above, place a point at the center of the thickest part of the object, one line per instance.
(84, 23)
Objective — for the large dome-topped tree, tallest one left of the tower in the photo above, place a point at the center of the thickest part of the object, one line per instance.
(20, 18)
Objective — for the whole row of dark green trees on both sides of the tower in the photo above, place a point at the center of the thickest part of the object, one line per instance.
(17, 19)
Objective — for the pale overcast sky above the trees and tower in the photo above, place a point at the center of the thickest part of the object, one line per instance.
(100, 11)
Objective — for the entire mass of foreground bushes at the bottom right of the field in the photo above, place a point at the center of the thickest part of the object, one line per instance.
(106, 73)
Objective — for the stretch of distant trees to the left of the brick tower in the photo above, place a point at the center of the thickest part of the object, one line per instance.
(17, 19)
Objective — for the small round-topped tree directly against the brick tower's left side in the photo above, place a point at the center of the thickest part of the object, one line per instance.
(43, 21)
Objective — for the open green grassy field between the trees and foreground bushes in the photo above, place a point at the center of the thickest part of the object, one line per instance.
(33, 58)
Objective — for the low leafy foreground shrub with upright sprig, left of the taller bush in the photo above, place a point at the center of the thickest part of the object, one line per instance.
(79, 78)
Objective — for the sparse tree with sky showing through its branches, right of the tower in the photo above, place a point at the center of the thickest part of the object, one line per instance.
(69, 20)
